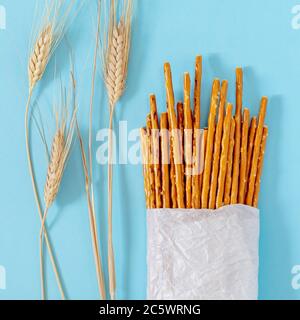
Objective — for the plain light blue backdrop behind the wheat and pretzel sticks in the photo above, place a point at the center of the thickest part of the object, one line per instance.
(254, 34)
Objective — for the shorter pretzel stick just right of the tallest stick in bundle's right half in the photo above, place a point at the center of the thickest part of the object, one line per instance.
(244, 147)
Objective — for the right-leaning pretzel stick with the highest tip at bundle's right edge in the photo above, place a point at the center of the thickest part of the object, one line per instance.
(256, 150)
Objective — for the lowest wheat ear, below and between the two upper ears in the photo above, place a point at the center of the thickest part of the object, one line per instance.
(55, 169)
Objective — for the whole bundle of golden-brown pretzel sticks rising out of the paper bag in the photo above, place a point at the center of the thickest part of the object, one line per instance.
(189, 167)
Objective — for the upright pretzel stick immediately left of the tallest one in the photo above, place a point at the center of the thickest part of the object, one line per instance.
(188, 140)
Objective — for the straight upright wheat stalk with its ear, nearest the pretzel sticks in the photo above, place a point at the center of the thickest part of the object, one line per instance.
(116, 55)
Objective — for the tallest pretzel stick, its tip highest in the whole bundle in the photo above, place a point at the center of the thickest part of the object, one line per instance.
(196, 195)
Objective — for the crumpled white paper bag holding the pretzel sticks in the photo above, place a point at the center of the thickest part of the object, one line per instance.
(203, 254)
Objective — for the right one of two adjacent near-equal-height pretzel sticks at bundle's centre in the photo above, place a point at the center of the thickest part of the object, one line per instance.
(217, 147)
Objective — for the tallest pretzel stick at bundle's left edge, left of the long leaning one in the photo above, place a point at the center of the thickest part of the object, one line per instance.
(156, 153)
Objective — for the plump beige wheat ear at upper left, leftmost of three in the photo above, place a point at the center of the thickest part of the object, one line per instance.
(40, 56)
